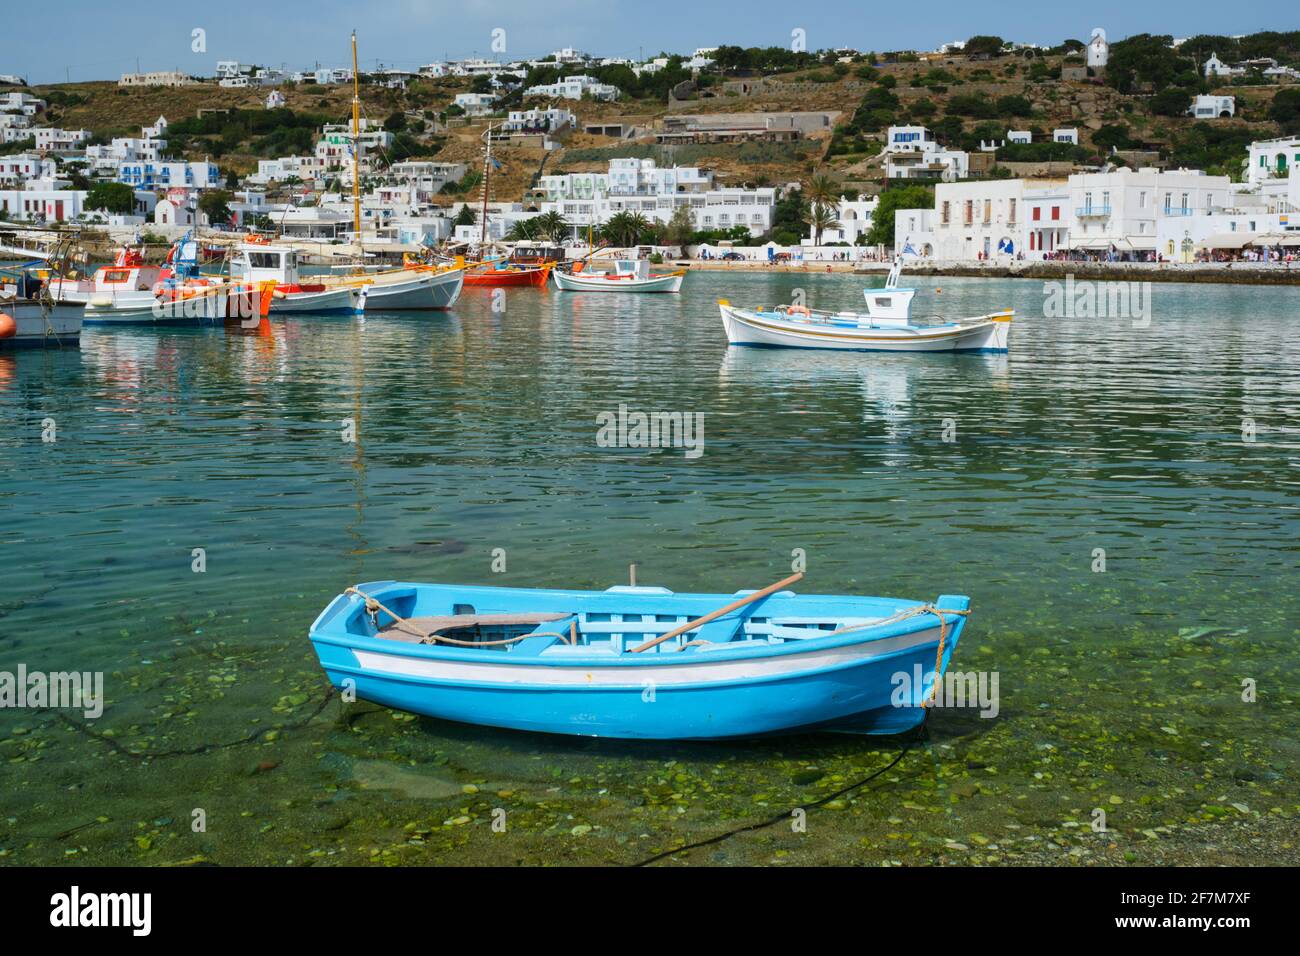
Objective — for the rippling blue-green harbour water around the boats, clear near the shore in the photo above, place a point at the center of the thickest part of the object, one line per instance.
(478, 431)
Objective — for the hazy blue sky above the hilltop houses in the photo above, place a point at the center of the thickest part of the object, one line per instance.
(99, 40)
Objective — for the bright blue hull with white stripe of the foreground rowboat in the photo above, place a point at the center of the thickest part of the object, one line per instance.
(877, 684)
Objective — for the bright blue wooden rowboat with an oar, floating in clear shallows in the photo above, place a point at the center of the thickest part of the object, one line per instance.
(640, 661)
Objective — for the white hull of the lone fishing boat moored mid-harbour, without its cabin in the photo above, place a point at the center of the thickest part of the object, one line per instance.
(799, 327)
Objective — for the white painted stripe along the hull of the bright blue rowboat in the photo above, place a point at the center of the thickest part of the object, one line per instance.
(700, 671)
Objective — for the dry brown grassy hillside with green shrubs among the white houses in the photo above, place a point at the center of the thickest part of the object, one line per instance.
(964, 100)
